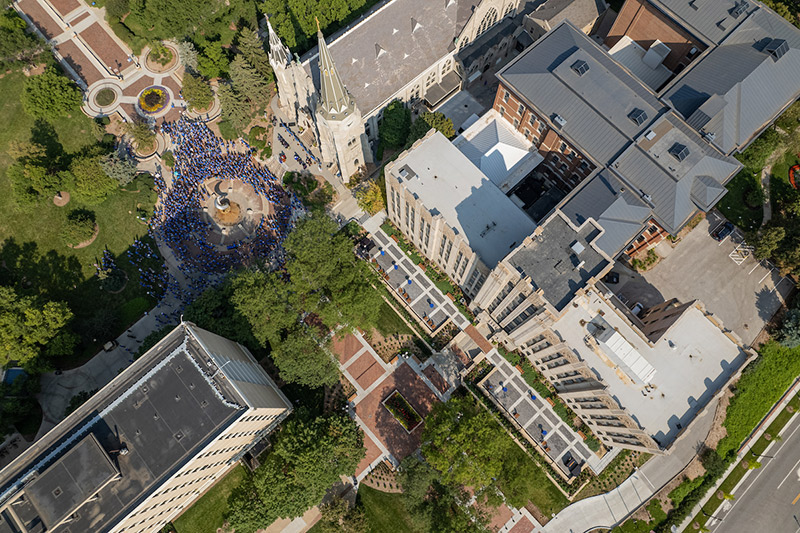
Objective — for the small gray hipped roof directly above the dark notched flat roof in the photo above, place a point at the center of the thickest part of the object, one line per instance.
(621, 213)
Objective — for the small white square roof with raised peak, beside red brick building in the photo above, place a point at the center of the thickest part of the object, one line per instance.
(504, 155)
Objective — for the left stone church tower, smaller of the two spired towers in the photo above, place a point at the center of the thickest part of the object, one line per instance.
(296, 90)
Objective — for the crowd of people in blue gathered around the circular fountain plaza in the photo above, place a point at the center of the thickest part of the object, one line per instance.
(179, 218)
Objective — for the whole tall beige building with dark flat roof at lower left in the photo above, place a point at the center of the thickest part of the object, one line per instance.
(144, 447)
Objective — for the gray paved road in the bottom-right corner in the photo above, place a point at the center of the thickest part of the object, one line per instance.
(769, 498)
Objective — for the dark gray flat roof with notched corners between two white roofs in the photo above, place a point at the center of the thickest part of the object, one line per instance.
(560, 259)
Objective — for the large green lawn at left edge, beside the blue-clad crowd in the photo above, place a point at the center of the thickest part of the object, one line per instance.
(31, 241)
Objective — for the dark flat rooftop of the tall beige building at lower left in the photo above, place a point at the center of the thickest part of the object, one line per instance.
(133, 434)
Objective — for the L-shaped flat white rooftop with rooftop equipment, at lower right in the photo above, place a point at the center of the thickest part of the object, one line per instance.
(690, 362)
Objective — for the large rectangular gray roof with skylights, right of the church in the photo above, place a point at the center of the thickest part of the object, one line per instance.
(595, 105)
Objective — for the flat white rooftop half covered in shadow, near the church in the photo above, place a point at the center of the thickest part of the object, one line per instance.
(448, 183)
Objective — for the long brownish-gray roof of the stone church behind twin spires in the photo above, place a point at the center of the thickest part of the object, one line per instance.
(406, 52)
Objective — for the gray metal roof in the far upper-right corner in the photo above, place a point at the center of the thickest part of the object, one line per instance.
(739, 87)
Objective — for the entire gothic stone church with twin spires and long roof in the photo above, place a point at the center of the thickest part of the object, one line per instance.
(403, 49)
